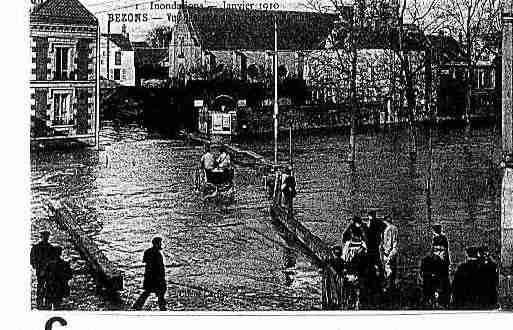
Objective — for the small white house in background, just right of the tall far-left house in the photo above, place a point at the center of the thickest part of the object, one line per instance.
(117, 59)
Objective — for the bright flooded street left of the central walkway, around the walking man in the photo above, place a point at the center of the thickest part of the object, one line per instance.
(137, 188)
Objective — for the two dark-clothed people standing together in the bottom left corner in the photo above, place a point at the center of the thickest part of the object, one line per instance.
(52, 273)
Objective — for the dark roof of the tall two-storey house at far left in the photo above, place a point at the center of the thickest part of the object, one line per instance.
(62, 12)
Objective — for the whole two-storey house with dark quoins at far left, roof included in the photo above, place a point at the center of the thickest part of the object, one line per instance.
(63, 80)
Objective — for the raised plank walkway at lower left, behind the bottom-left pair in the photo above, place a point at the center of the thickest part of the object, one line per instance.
(104, 271)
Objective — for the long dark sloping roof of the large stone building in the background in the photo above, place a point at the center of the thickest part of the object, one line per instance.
(230, 29)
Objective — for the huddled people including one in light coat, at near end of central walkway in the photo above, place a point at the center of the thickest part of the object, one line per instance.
(366, 259)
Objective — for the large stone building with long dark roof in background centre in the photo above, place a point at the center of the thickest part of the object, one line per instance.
(211, 42)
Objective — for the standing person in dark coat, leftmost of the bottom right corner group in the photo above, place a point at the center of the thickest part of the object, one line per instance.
(435, 278)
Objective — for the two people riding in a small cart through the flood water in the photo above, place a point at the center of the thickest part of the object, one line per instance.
(218, 170)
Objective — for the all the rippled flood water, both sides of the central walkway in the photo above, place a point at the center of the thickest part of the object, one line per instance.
(231, 258)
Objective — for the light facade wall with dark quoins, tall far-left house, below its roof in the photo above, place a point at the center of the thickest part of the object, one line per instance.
(79, 83)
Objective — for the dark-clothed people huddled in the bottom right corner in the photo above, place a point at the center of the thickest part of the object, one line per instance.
(474, 284)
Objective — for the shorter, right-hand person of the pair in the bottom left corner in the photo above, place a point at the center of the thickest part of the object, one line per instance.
(57, 275)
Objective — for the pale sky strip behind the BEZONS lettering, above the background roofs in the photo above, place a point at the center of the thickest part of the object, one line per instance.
(160, 16)
